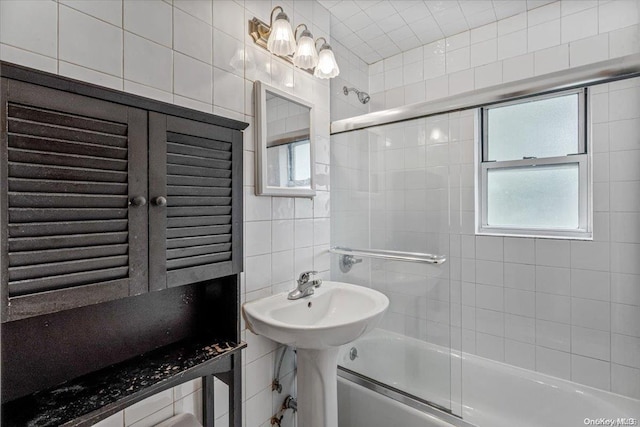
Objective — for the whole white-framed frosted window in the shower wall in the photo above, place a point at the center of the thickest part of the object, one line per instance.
(533, 174)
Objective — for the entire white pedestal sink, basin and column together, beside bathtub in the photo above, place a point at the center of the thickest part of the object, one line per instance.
(317, 325)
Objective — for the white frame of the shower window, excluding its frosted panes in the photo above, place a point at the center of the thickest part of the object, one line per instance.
(582, 158)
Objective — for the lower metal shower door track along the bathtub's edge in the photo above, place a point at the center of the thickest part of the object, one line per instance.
(398, 395)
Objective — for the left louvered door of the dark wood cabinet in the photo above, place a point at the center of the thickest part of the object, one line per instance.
(72, 200)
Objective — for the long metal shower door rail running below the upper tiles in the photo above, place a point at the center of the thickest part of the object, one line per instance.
(587, 75)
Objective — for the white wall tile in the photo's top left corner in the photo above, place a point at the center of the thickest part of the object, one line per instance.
(41, 20)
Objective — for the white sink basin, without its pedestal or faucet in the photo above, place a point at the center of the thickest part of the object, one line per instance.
(336, 314)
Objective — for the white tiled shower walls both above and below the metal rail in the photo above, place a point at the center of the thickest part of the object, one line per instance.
(566, 308)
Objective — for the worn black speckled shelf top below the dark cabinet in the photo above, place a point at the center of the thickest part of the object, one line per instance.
(94, 396)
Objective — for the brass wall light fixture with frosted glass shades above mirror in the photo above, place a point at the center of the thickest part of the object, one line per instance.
(279, 39)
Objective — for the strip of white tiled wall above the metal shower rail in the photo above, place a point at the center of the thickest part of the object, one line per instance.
(555, 36)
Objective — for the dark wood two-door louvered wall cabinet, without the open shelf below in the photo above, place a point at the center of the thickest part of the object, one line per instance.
(105, 195)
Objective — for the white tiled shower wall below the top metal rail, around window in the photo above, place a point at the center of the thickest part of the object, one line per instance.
(565, 308)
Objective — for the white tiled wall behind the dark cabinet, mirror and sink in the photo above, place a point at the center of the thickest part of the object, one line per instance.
(197, 54)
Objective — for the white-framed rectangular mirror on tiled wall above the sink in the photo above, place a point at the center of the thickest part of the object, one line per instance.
(284, 155)
